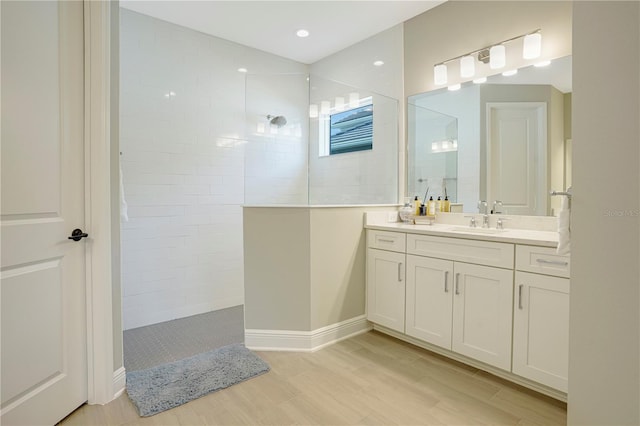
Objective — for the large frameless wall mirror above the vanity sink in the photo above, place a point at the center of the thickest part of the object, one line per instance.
(506, 140)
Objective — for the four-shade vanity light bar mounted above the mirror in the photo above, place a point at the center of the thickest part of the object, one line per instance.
(495, 55)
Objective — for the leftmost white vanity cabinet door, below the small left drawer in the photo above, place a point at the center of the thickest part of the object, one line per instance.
(386, 288)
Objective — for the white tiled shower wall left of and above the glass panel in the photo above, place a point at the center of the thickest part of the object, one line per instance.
(183, 144)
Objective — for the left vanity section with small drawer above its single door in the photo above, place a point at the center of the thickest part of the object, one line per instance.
(386, 279)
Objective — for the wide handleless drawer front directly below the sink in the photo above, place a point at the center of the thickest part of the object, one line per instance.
(471, 251)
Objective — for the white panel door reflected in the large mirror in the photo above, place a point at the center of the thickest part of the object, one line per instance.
(516, 157)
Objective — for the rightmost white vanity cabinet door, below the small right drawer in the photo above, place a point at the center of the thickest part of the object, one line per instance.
(541, 329)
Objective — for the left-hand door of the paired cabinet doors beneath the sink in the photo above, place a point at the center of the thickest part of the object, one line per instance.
(429, 299)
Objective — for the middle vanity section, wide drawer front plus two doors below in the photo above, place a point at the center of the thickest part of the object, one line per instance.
(457, 305)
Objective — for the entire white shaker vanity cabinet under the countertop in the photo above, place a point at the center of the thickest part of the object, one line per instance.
(500, 305)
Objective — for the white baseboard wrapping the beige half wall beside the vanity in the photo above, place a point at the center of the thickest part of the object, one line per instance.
(305, 341)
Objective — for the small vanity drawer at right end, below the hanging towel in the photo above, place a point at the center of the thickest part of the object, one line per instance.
(542, 260)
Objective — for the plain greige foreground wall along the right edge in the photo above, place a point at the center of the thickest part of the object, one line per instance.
(604, 358)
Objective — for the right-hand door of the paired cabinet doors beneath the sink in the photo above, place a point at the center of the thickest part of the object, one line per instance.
(482, 318)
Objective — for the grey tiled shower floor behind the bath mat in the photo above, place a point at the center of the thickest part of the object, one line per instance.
(169, 341)
